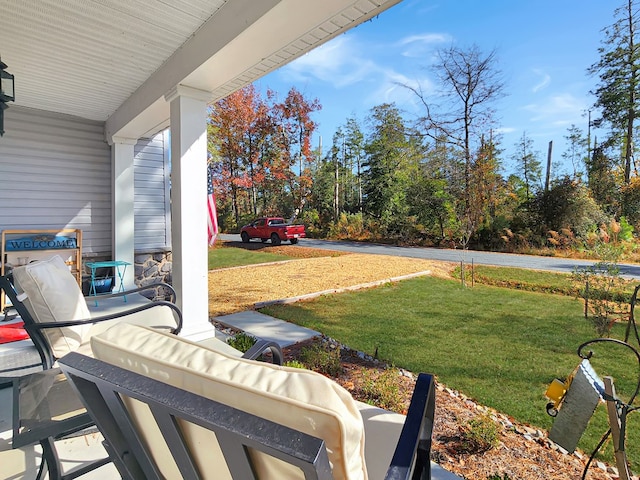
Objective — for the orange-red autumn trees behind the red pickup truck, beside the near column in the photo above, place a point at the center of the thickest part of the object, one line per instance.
(254, 145)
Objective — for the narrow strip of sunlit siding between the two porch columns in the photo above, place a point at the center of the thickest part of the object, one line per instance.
(151, 205)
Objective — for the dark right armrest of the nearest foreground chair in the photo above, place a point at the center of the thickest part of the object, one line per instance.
(411, 459)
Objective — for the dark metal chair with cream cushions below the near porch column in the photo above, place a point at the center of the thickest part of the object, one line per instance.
(60, 320)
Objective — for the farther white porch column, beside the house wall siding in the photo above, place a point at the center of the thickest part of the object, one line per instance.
(122, 207)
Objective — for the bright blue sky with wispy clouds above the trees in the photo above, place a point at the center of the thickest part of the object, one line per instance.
(543, 50)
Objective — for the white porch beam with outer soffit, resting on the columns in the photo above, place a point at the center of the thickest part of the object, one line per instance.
(243, 41)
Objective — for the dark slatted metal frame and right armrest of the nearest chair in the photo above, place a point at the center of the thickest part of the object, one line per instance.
(104, 387)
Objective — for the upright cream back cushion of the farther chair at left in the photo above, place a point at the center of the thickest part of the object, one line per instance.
(53, 295)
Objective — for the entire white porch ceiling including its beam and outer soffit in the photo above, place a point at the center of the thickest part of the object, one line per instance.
(114, 60)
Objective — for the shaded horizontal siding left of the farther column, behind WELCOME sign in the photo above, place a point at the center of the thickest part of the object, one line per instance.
(55, 172)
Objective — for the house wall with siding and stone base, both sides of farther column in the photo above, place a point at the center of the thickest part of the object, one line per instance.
(55, 172)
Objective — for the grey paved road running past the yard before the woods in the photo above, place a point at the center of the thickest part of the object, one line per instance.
(565, 265)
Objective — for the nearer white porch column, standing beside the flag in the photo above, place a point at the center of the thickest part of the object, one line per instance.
(188, 207)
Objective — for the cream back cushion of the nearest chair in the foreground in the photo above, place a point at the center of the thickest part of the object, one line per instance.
(297, 398)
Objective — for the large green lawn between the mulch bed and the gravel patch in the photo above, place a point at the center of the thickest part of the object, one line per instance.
(499, 346)
